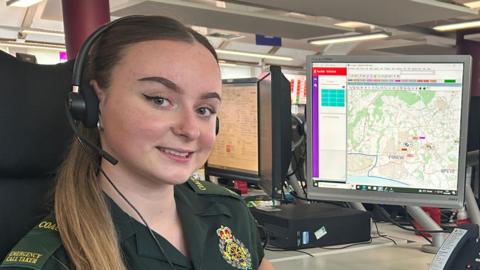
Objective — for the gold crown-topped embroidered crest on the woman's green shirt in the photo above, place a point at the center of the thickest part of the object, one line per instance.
(233, 250)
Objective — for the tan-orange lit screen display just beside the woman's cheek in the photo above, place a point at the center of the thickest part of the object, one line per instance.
(236, 146)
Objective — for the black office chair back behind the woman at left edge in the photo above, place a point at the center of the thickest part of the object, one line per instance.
(34, 136)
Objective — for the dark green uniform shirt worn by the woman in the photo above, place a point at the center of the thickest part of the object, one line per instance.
(219, 231)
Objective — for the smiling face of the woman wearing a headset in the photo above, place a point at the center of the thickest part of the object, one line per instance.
(158, 114)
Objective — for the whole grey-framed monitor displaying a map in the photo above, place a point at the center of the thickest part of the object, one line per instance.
(388, 129)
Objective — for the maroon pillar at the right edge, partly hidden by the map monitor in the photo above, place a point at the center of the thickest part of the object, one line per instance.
(472, 48)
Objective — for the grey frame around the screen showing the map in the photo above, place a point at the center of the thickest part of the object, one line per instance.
(347, 195)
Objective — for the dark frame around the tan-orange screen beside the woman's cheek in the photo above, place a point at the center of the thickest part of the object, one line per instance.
(231, 173)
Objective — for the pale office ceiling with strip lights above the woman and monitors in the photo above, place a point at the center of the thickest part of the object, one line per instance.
(232, 24)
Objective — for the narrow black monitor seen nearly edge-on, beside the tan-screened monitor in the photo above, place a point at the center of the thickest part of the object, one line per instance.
(275, 131)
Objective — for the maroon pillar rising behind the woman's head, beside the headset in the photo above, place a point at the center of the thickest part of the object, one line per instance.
(80, 19)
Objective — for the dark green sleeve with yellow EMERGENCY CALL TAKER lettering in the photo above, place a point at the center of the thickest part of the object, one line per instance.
(33, 251)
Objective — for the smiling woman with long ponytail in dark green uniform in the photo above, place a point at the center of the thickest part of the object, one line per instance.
(159, 89)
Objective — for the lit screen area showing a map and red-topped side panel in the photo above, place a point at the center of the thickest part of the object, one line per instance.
(400, 123)
